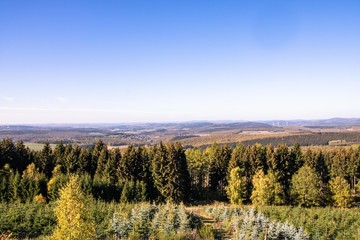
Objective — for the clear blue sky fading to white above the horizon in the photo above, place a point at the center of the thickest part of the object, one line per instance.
(139, 61)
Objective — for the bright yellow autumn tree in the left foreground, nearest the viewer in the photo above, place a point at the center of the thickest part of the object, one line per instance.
(73, 221)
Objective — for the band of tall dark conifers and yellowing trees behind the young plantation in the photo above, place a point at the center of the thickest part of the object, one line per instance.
(257, 174)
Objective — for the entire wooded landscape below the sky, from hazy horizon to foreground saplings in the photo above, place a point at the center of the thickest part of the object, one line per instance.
(218, 180)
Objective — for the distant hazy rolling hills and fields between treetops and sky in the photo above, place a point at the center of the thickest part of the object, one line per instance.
(327, 132)
